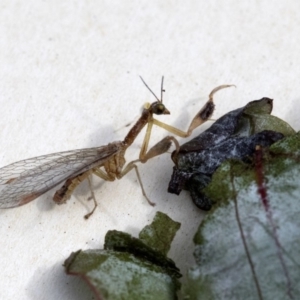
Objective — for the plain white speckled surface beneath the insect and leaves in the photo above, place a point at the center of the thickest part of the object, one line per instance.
(69, 79)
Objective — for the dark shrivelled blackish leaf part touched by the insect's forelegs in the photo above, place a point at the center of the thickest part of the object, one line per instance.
(233, 136)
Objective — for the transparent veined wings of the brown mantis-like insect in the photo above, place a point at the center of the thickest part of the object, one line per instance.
(25, 180)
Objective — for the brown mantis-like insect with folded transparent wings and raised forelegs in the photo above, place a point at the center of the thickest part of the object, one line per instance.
(24, 181)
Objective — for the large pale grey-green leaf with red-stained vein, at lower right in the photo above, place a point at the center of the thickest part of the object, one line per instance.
(248, 246)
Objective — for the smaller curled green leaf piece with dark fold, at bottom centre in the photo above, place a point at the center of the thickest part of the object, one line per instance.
(127, 268)
